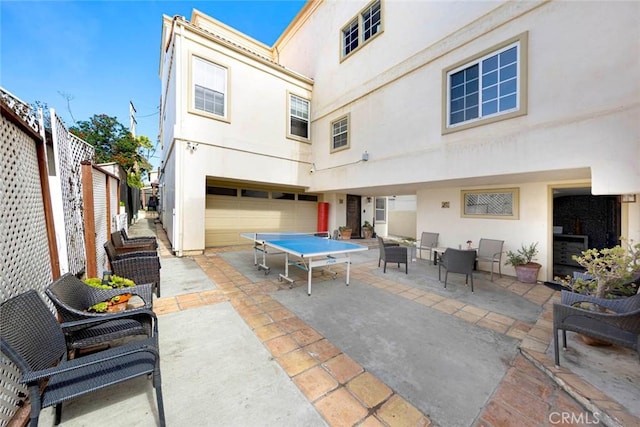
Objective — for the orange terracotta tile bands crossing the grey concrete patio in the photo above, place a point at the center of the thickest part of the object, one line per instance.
(347, 395)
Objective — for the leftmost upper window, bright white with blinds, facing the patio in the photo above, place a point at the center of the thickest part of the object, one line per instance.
(209, 87)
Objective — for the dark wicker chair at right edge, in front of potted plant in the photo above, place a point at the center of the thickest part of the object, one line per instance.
(612, 320)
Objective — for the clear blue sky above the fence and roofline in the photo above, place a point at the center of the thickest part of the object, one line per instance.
(103, 54)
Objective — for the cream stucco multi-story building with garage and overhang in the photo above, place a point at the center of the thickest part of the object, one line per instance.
(503, 119)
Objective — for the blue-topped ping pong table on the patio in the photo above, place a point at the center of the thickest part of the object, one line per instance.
(310, 251)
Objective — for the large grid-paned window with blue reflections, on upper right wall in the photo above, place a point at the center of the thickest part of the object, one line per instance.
(490, 86)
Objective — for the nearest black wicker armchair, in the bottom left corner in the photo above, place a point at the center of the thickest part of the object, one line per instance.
(32, 338)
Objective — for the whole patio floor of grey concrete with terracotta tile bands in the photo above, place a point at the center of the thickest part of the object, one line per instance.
(241, 348)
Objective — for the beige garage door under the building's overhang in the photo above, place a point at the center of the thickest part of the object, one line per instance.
(232, 211)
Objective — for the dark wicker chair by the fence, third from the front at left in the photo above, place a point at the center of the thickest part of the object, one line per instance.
(141, 267)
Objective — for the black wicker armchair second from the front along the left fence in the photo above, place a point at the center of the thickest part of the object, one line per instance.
(72, 297)
